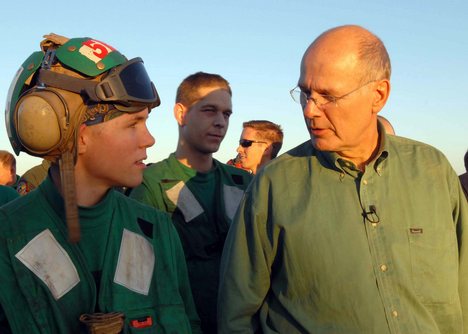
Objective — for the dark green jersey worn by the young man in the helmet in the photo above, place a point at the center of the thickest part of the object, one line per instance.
(129, 260)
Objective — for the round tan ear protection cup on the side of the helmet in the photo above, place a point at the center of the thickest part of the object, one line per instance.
(42, 116)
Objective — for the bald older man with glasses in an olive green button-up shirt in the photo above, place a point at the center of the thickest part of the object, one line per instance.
(353, 231)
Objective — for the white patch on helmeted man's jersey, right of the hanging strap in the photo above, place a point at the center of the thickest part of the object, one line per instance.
(136, 263)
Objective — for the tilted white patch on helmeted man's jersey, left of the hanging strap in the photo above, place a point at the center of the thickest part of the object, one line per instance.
(47, 259)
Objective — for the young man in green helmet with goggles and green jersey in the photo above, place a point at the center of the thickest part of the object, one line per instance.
(75, 255)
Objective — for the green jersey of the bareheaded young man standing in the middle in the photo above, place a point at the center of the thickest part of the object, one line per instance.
(202, 206)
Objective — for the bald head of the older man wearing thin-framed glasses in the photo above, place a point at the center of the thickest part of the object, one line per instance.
(343, 85)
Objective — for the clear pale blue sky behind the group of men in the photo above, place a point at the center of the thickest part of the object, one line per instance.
(257, 46)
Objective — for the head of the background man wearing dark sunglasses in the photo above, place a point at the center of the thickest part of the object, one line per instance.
(260, 143)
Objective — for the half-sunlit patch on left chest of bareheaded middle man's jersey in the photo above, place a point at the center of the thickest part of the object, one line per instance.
(181, 196)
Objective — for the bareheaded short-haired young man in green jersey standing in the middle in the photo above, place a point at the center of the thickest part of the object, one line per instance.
(200, 193)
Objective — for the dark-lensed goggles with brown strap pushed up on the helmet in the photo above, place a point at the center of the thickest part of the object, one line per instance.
(127, 86)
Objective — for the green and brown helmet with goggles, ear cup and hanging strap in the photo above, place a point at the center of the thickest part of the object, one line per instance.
(68, 83)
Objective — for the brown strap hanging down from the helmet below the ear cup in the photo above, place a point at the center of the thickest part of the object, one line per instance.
(69, 195)
